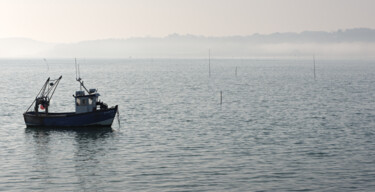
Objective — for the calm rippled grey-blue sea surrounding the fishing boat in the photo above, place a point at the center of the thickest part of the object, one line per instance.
(276, 130)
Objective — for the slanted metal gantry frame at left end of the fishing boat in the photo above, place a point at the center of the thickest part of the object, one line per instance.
(45, 94)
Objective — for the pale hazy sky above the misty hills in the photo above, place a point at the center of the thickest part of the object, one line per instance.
(77, 20)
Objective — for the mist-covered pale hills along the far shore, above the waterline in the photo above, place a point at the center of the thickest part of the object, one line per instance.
(351, 43)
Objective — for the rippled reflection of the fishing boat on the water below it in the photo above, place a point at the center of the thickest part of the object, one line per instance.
(73, 158)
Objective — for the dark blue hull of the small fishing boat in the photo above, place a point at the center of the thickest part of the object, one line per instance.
(100, 118)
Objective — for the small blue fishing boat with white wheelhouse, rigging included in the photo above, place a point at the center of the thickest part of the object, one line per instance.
(89, 110)
